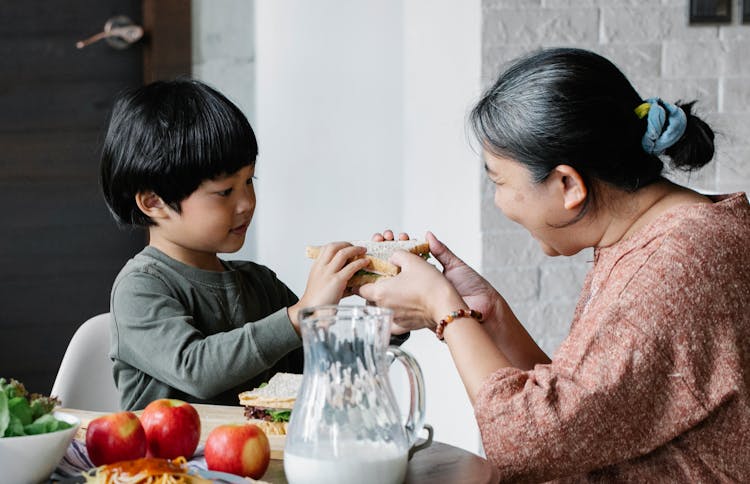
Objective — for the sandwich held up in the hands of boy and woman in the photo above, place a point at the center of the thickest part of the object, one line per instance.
(378, 253)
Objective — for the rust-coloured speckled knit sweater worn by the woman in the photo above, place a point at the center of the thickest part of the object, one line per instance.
(652, 383)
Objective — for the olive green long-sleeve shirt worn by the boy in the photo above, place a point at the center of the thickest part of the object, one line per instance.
(195, 335)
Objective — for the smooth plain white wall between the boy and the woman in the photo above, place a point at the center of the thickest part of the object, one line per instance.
(360, 112)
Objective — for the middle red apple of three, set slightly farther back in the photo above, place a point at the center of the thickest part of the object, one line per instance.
(173, 428)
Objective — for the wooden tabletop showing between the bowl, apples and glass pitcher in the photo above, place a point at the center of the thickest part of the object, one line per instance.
(438, 464)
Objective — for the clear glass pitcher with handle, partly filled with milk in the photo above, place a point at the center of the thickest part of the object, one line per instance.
(346, 426)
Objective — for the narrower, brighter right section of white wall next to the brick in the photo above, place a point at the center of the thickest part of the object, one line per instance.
(442, 176)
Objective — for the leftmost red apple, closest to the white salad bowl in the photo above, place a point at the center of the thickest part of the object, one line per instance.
(115, 437)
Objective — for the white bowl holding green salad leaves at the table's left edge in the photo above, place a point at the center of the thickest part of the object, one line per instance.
(32, 458)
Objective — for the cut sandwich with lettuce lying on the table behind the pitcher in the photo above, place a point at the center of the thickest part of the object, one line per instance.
(270, 405)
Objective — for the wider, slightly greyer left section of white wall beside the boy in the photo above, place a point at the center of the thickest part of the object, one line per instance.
(328, 99)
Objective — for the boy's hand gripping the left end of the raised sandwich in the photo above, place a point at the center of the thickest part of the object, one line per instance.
(331, 270)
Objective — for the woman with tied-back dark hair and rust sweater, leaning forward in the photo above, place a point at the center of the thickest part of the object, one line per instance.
(651, 383)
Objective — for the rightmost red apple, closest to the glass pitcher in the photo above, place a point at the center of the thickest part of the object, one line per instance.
(241, 449)
